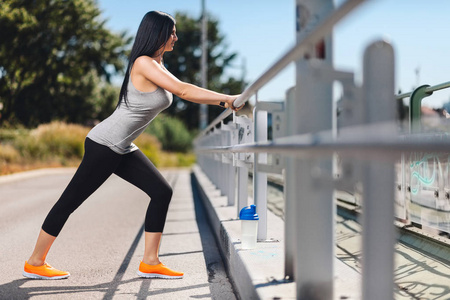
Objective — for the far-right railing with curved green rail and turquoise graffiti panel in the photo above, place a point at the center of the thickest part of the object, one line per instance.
(422, 177)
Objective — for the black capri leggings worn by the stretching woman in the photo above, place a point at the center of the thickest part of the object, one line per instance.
(98, 163)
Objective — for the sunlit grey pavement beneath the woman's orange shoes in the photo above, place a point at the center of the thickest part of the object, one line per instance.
(102, 242)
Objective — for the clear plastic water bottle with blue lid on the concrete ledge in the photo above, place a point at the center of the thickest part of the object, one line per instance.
(249, 226)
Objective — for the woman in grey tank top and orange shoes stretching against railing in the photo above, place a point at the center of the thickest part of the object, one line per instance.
(147, 89)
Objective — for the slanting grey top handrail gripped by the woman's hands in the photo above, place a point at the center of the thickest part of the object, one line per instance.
(312, 37)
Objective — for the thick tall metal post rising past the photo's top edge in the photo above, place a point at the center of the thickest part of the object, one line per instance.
(315, 210)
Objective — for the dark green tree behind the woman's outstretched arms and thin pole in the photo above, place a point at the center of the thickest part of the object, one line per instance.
(184, 63)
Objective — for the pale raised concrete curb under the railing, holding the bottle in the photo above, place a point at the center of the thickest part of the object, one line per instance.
(256, 273)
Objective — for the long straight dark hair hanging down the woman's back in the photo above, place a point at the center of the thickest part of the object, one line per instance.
(152, 35)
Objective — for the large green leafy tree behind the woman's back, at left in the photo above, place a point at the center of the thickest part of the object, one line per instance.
(56, 60)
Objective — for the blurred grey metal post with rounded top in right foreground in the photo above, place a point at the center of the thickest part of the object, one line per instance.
(379, 178)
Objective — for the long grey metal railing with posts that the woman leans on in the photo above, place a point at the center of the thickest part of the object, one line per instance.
(307, 140)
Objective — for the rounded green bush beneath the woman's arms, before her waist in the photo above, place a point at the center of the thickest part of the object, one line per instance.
(172, 133)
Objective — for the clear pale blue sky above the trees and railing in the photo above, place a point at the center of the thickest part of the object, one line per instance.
(261, 31)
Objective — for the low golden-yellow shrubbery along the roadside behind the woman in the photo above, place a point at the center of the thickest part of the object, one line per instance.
(60, 144)
